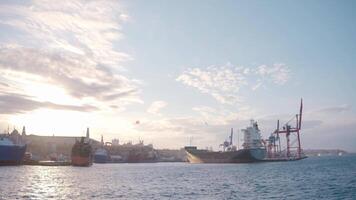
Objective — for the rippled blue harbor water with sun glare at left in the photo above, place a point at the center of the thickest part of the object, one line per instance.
(311, 178)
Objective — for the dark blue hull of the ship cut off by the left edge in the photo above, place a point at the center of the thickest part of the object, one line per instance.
(12, 155)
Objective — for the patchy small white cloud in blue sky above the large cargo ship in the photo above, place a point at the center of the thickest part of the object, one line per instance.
(224, 82)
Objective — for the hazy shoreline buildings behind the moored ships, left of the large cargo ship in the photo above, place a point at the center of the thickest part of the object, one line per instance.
(59, 148)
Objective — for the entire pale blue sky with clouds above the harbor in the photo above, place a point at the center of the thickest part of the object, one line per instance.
(174, 73)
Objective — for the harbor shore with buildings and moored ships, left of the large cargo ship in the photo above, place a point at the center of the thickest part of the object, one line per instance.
(62, 151)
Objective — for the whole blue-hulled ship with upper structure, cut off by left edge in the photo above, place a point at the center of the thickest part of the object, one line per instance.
(12, 148)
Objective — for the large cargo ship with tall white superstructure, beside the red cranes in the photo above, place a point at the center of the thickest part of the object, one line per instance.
(253, 150)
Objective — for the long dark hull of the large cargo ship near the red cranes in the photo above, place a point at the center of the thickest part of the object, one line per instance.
(240, 156)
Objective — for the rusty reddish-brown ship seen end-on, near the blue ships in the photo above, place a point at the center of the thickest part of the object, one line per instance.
(82, 153)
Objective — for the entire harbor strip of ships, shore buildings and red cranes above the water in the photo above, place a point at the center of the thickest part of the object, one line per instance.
(84, 151)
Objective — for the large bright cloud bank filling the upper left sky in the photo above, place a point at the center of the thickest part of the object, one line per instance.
(69, 45)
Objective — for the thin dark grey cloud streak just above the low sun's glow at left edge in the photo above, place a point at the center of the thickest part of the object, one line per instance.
(11, 103)
